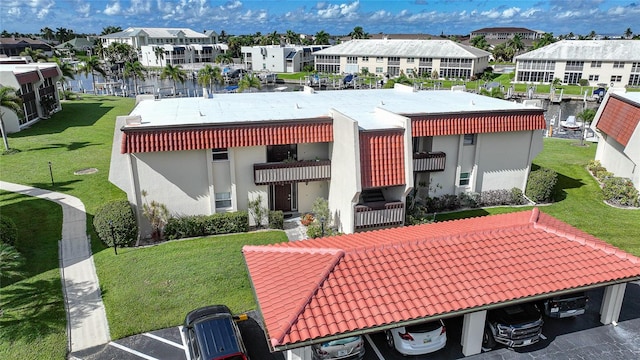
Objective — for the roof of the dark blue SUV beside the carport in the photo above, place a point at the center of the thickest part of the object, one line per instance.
(216, 336)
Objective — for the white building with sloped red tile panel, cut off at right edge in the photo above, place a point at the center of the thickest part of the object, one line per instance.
(618, 126)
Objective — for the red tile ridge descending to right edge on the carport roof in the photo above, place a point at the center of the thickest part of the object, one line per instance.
(553, 226)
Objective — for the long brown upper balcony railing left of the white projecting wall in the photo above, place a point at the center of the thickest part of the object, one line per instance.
(290, 172)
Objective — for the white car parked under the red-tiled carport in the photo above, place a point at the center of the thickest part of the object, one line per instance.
(418, 339)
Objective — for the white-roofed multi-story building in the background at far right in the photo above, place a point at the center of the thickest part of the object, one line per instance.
(612, 62)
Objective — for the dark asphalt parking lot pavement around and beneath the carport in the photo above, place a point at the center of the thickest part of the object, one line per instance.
(581, 337)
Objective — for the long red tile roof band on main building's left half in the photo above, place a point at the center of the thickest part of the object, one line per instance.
(141, 139)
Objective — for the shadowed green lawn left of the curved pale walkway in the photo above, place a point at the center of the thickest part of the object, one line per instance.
(33, 321)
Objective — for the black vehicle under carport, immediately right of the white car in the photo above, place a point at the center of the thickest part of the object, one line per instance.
(514, 326)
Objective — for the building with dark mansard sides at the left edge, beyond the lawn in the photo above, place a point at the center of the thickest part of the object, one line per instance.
(36, 85)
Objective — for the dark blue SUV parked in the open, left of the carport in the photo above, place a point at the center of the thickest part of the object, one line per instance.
(211, 333)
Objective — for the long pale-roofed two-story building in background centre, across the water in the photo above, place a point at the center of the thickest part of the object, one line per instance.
(389, 57)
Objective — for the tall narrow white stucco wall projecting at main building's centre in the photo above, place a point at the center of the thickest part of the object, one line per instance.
(345, 160)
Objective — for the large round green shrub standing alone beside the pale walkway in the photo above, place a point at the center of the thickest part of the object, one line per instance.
(115, 224)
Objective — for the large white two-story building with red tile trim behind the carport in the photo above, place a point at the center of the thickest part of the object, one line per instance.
(362, 150)
